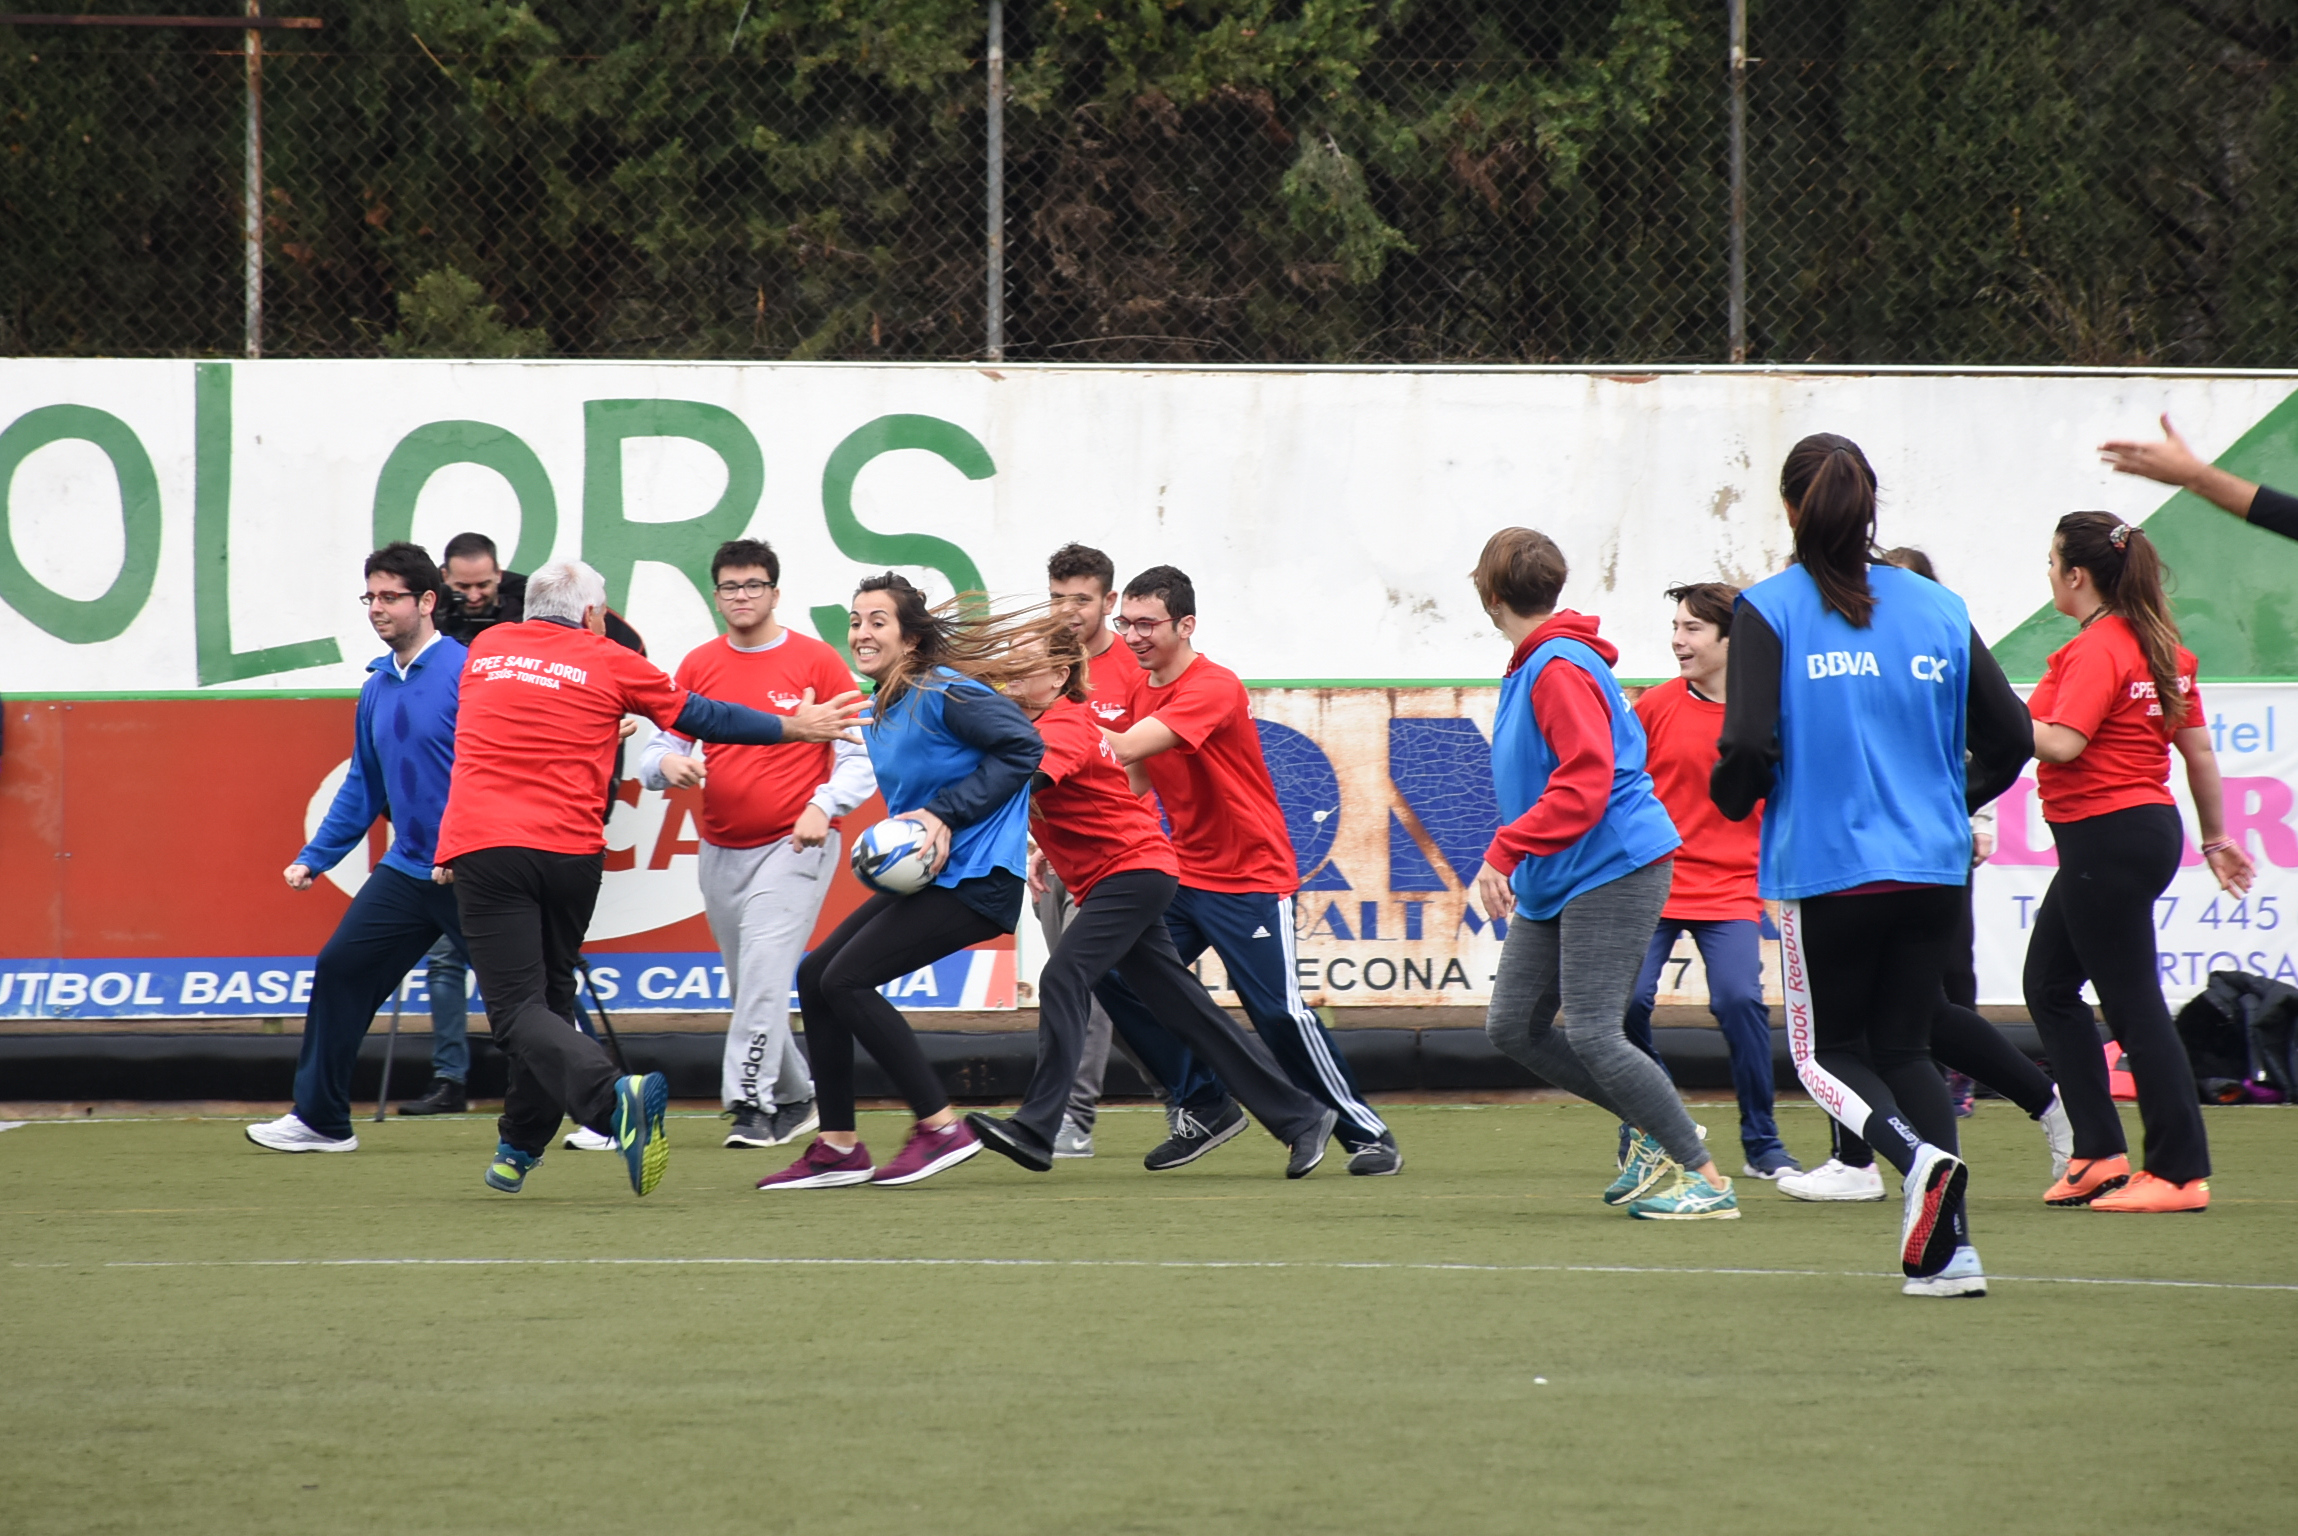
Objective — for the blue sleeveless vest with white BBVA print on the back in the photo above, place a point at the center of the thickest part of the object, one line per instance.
(1872, 723)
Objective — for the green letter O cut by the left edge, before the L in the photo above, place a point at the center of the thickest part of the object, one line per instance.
(95, 620)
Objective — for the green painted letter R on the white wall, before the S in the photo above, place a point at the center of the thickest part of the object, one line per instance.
(612, 542)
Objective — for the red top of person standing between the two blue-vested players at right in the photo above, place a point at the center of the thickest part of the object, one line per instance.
(1715, 870)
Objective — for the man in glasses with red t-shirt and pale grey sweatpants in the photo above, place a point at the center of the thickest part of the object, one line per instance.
(769, 834)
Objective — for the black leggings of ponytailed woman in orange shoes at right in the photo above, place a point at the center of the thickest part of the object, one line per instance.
(2097, 926)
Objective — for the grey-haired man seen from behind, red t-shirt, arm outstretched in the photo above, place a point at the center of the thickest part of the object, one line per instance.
(523, 843)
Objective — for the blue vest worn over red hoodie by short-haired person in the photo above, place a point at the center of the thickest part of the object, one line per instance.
(1635, 827)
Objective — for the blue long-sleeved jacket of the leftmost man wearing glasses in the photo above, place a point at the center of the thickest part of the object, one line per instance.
(403, 755)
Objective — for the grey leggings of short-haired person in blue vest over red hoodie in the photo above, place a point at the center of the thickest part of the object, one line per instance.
(1587, 960)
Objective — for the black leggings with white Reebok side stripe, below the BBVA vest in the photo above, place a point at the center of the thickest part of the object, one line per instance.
(1863, 990)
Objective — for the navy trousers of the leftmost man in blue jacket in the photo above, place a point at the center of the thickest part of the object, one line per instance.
(394, 921)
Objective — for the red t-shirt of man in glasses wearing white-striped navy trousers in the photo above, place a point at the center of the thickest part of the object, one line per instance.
(1228, 827)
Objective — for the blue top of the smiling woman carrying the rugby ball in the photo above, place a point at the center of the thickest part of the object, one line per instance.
(964, 753)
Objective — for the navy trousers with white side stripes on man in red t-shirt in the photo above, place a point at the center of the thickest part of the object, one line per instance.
(1254, 935)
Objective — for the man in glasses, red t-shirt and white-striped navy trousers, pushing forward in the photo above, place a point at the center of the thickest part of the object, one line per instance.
(1196, 739)
